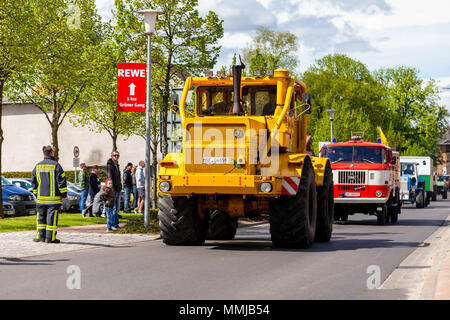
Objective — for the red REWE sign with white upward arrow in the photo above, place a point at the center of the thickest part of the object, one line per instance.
(131, 87)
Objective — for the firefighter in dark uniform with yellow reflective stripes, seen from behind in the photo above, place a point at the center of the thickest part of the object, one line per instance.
(50, 187)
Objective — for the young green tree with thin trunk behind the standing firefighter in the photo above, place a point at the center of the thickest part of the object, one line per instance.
(57, 79)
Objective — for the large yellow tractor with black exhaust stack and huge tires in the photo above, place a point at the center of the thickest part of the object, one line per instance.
(244, 153)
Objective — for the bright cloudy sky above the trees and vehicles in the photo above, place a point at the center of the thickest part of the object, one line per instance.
(379, 33)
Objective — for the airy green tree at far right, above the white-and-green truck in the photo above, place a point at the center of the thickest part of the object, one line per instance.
(412, 106)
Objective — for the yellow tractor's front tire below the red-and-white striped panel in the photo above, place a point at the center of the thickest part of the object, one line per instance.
(293, 218)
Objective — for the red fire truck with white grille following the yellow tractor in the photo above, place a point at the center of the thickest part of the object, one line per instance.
(366, 177)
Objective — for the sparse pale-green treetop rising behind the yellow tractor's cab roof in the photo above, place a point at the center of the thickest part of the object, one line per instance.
(271, 49)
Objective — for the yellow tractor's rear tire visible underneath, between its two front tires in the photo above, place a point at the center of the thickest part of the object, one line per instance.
(221, 226)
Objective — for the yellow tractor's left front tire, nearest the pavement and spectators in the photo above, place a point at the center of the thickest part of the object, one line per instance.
(179, 222)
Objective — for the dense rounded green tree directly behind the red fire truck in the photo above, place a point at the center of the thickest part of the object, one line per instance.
(341, 83)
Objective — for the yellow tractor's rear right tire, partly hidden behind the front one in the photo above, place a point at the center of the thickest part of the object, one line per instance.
(325, 207)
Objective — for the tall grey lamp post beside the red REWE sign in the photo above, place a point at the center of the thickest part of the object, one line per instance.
(150, 21)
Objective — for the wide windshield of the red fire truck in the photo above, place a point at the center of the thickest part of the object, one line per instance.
(351, 154)
